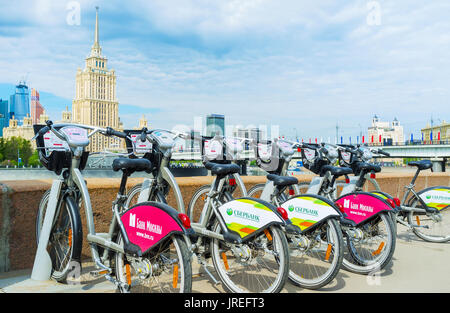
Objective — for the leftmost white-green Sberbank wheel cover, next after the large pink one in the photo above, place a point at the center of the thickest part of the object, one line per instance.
(248, 217)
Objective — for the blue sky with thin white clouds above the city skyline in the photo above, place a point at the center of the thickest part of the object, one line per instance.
(302, 66)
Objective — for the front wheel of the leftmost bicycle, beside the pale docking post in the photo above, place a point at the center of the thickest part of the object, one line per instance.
(65, 241)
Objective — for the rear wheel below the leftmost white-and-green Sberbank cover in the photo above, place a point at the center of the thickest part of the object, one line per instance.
(261, 265)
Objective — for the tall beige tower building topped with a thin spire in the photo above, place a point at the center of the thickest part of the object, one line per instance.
(95, 100)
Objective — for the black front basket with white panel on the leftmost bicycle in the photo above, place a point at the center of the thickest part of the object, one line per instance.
(54, 153)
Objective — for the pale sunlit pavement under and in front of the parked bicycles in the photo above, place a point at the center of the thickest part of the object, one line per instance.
(417, 266)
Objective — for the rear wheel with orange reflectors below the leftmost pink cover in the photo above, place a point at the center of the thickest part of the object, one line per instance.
(166, 269)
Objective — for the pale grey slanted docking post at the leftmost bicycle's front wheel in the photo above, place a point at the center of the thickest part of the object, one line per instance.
(42, 267)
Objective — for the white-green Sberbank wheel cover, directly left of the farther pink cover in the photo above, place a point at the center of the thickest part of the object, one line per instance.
(308, 211)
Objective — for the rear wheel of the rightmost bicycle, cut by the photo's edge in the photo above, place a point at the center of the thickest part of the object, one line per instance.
(432, 227)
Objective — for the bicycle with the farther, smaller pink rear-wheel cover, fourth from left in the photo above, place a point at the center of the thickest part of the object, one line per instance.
(370, 239)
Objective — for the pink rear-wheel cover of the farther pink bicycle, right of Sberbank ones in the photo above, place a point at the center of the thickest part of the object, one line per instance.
(362, 206)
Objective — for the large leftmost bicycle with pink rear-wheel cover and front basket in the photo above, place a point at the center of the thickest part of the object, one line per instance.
(145, 248)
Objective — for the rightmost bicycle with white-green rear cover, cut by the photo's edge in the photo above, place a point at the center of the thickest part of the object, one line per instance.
(426, 212)
